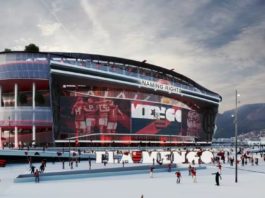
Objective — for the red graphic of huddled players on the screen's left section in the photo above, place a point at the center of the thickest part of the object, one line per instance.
(88, 115)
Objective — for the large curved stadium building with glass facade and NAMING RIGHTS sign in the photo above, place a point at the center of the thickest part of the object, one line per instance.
(95, 100)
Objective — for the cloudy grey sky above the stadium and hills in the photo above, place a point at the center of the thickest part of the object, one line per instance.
(218, 43)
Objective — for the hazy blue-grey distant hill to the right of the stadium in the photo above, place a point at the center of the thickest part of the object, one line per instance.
(250, 117)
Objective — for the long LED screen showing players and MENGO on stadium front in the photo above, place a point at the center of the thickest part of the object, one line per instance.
(84, 115)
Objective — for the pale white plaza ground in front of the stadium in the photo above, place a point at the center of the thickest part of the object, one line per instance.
(250, 184)
